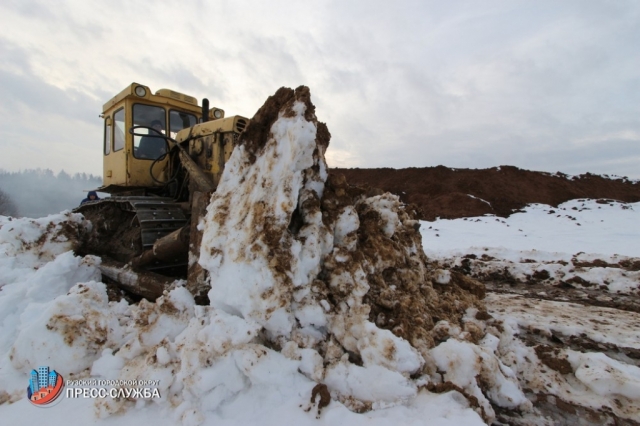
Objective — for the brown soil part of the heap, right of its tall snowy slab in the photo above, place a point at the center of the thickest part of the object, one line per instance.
(403, 296)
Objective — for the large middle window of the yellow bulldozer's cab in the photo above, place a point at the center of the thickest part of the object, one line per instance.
(149, 145)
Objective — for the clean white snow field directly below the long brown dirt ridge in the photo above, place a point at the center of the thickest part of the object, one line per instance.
(596, 227)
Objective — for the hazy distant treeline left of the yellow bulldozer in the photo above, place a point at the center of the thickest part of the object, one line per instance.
(38, 193)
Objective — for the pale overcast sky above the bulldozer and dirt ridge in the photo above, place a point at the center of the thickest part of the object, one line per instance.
(541, 85)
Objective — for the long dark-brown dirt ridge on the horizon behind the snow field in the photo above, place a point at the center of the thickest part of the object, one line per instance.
(444, 192)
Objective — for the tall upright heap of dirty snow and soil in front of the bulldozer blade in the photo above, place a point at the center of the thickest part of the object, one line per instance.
(336, 279)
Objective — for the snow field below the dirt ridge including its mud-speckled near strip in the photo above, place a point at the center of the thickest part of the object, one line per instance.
(586, 243)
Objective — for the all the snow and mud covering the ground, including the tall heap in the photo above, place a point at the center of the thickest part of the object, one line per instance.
(322, 289)
